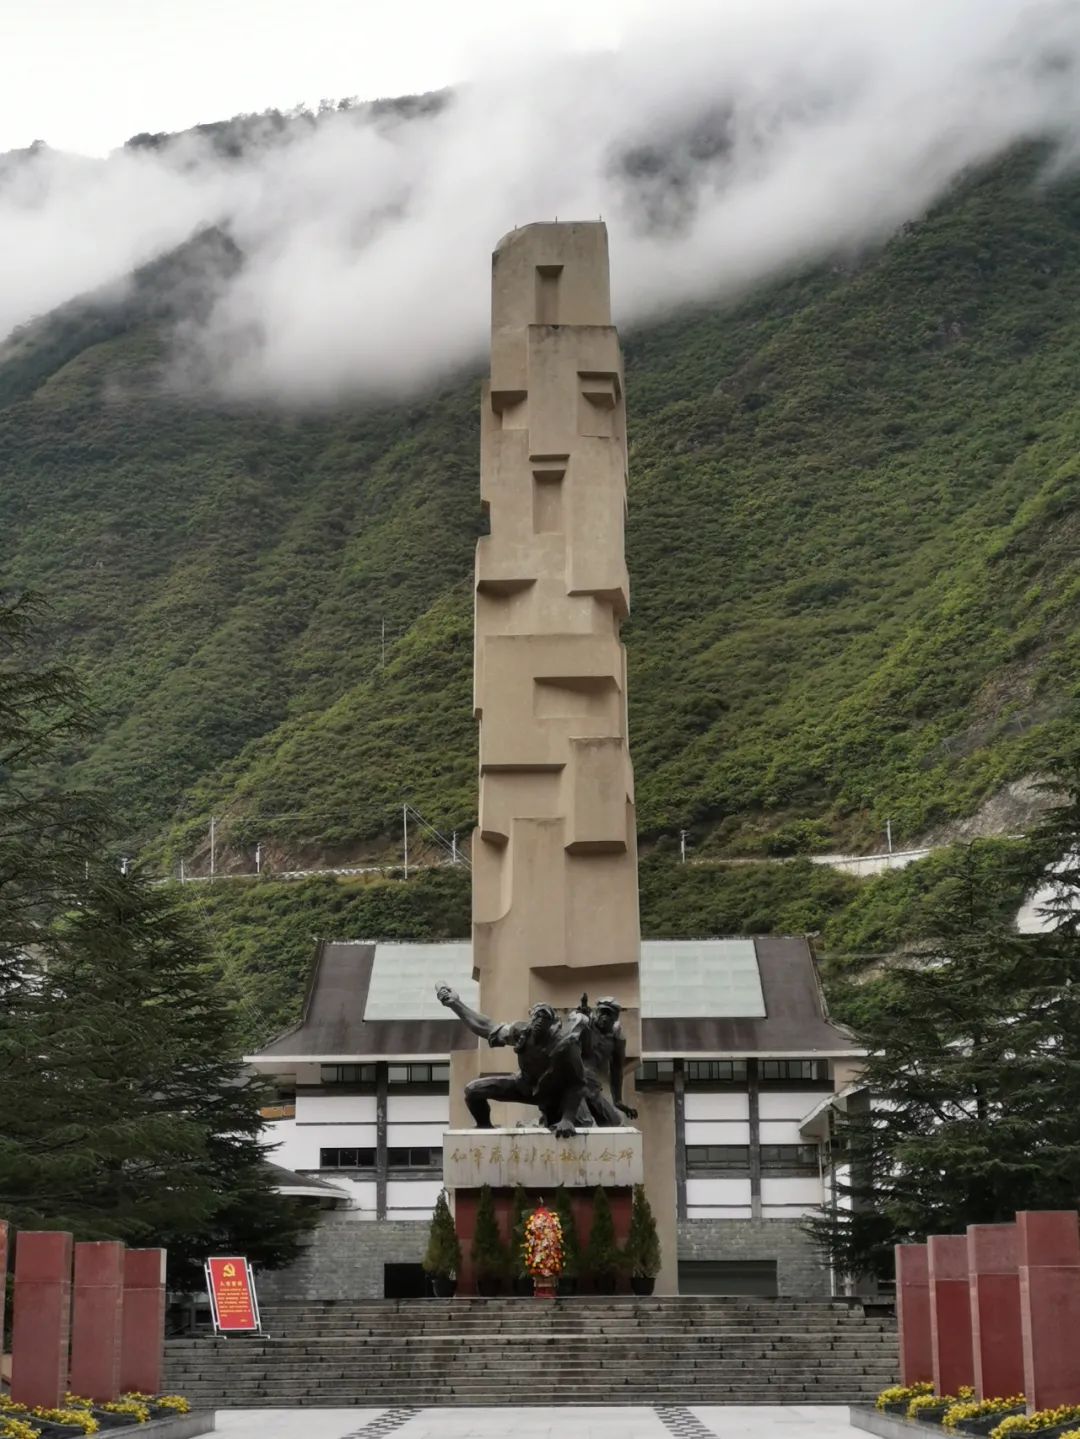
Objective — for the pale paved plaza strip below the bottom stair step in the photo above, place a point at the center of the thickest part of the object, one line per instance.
(625, 1422)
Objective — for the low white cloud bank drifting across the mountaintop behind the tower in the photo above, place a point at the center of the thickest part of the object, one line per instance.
(367, 247)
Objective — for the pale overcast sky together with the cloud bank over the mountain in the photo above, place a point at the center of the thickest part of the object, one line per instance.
(724, 143)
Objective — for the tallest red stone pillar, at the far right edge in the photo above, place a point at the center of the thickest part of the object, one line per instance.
(1049, 1263)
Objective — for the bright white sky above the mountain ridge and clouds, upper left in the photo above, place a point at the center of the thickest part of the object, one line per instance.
(88, 74)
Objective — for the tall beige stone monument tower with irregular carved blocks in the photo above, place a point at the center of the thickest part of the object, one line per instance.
(556, 854)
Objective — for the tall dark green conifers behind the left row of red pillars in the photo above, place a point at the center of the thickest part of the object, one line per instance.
(126, 1107)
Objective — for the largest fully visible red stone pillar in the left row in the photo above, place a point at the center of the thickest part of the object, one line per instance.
(41, 1320)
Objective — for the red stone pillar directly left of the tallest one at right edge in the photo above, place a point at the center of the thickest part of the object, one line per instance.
(996, 1335)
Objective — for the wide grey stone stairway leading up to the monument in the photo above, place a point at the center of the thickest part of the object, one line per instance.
(531, 1352)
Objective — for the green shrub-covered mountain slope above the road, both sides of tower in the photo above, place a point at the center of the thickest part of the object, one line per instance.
(854, 546)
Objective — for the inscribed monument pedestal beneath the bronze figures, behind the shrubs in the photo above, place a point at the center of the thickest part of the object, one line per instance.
(533, 1158)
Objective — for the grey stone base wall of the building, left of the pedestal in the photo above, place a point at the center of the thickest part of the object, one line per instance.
(344, 1260)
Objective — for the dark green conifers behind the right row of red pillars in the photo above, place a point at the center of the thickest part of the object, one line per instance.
(971, 1107)
